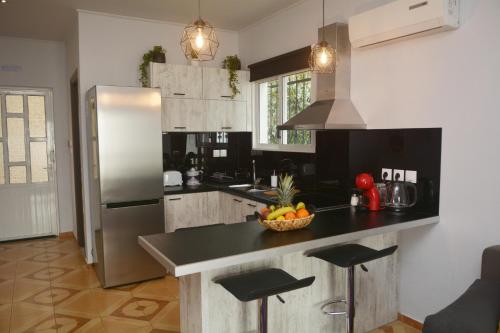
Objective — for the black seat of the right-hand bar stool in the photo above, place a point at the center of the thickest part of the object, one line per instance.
(351, 254)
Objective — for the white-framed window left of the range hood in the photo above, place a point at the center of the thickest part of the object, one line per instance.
(279, 99)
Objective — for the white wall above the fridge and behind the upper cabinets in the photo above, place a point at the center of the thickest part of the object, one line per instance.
(111, 49)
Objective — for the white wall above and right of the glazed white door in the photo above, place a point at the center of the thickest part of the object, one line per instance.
(43, 65)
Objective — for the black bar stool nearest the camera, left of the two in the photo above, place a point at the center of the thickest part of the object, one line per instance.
(260, 285)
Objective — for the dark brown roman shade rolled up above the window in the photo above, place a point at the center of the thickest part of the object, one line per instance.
(285, 63)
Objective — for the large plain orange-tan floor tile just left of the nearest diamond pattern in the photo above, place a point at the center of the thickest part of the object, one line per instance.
(91, 303)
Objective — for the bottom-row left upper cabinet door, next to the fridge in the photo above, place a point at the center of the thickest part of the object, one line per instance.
(180, 115)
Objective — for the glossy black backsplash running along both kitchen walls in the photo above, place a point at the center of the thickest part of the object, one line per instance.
(340, 156)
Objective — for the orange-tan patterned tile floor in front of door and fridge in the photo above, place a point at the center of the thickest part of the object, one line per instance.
(46, 286)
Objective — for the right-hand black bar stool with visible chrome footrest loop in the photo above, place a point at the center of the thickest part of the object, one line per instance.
(348, 256)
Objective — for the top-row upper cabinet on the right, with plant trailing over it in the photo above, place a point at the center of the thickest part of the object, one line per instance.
(216, 84)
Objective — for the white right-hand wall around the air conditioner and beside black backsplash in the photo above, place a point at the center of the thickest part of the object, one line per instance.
(450, 80)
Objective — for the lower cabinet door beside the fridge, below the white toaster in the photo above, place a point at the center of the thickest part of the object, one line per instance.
(185, 210)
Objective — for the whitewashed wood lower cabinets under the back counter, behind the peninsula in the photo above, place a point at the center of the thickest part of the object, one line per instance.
(198, 209)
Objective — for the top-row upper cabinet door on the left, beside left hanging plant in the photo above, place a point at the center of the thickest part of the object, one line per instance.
(177, 81)
